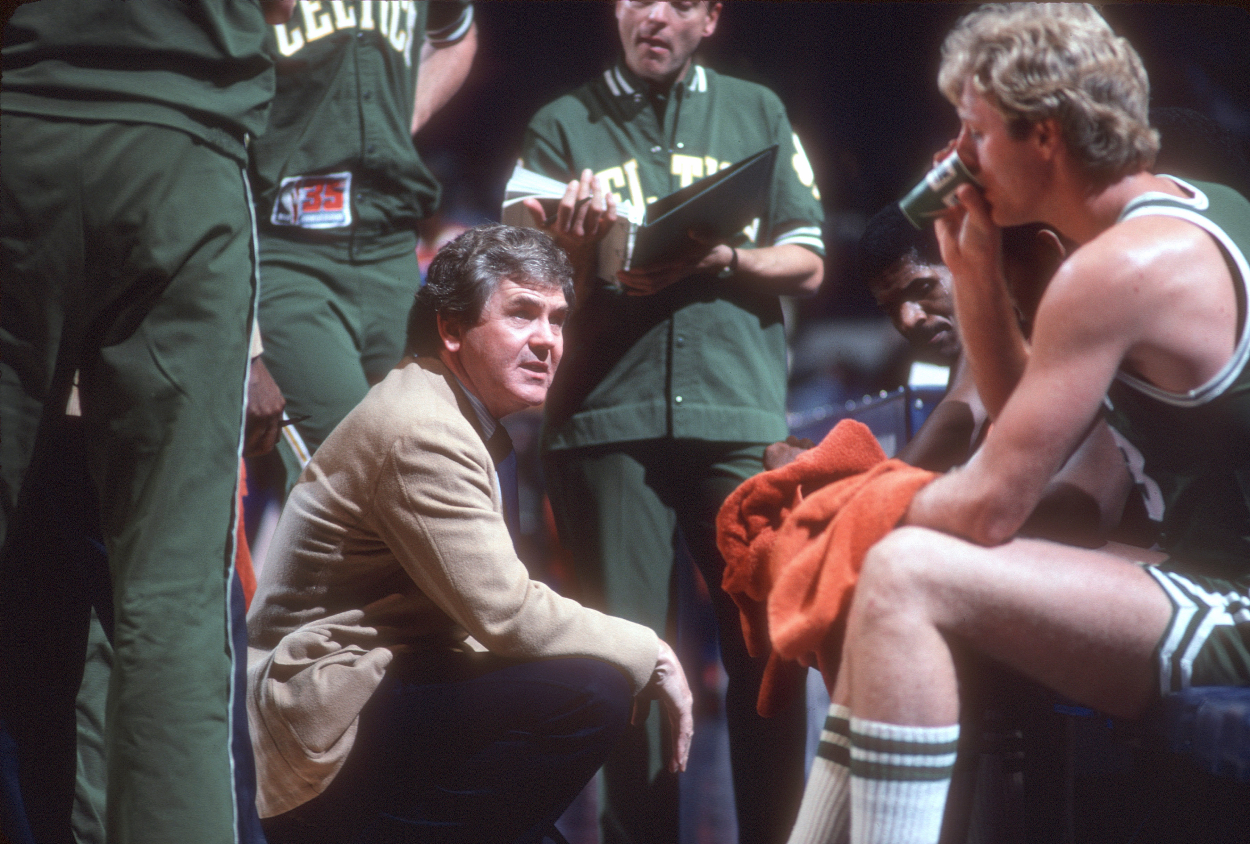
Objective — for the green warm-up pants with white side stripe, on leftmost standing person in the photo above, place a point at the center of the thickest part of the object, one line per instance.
(128, 258)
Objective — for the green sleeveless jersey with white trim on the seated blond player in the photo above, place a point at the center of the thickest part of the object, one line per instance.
(1191, 453)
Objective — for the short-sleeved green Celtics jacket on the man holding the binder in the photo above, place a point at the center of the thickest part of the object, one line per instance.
(706, 358)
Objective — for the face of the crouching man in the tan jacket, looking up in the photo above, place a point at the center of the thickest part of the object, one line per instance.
(508, 359)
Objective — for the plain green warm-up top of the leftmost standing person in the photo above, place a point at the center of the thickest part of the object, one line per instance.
(198, 67)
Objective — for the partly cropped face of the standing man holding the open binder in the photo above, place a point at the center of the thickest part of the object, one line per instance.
(661, 38)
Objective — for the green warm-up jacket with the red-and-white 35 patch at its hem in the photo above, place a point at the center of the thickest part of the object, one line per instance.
(338, 157)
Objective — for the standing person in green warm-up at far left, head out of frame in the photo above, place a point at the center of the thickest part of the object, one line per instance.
(127, 254)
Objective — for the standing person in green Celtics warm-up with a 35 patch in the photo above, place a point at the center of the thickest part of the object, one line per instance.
(341, 189)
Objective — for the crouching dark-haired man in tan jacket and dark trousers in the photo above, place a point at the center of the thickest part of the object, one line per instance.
(408, 681)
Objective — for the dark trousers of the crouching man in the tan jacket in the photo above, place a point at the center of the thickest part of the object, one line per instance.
(467, 750)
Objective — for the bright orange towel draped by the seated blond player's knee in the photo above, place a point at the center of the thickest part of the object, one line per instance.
(794, 541)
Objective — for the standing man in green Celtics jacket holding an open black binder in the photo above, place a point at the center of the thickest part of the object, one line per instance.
(674, 379)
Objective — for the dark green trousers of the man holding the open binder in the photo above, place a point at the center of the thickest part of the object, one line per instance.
(619, 508)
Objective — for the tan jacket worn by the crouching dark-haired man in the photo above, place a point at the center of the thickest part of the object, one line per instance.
(393, 540)
